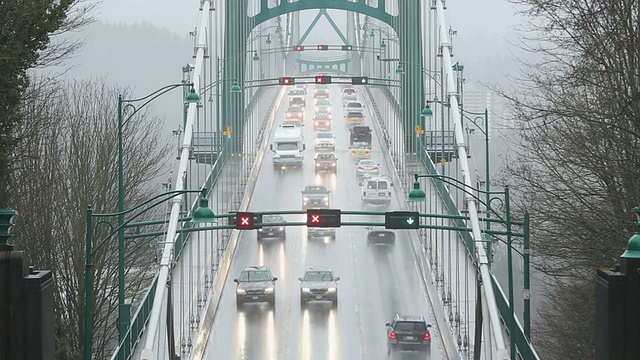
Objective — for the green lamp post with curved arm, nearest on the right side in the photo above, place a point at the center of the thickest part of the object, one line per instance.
(417, 194)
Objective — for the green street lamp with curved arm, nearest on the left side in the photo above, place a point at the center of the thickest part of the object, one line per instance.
(201, 215)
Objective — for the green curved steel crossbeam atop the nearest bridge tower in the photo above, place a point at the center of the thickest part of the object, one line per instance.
(358, 6)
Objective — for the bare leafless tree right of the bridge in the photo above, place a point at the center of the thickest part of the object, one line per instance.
(577, 110)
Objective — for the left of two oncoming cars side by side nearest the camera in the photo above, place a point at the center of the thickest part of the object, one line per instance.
(255, 284)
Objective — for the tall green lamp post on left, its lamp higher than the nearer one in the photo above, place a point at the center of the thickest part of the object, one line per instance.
(192, 97)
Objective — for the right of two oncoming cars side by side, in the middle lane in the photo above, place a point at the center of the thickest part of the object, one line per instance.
(319, 284)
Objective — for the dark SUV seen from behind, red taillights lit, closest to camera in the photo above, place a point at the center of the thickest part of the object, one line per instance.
(408, 331)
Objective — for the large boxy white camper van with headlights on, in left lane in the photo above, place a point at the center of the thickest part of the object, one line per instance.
(288, 145)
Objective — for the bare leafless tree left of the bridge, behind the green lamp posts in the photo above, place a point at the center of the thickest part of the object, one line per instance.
(67, 161)
